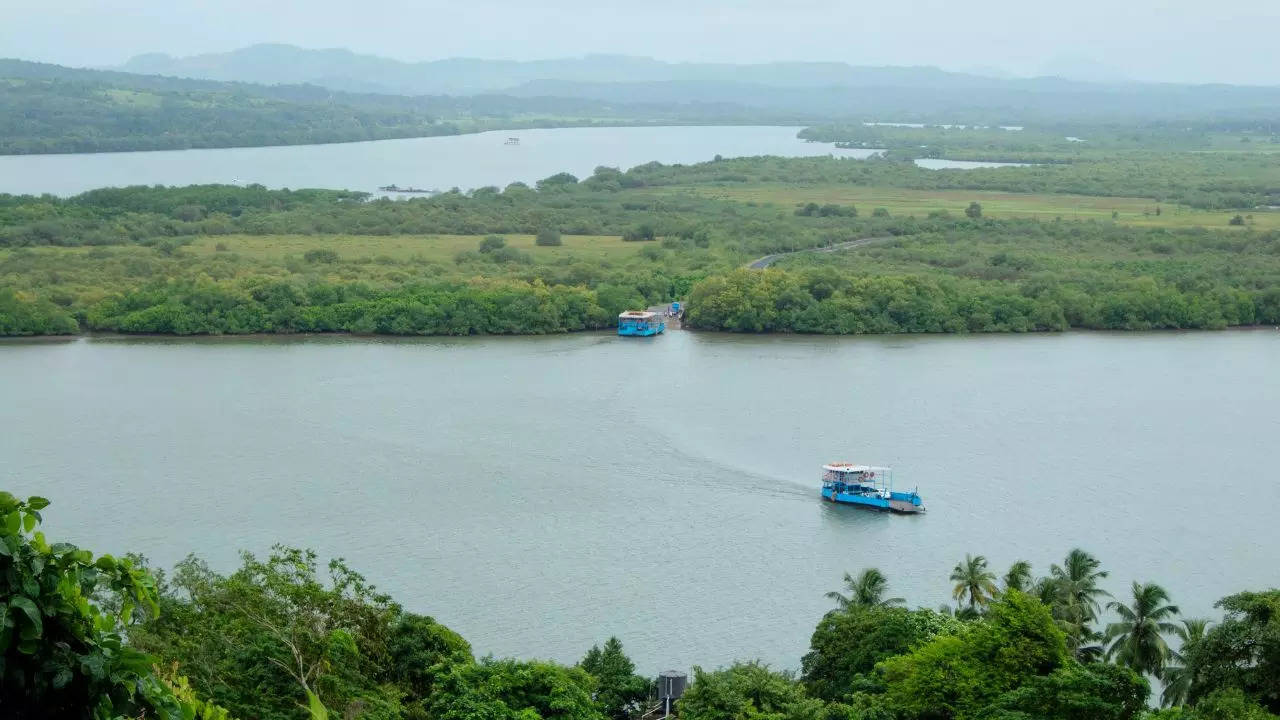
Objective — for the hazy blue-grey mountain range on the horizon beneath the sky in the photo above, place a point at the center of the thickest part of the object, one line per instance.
(798, 89)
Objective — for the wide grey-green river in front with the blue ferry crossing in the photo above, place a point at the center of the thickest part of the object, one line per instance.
(540, 495)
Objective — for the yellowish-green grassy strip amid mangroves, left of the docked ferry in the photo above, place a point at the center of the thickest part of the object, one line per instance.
(431, 249)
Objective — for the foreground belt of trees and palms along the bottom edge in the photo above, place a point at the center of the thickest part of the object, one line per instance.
(282, 637)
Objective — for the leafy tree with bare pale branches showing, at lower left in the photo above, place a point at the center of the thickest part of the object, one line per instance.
(266, 639)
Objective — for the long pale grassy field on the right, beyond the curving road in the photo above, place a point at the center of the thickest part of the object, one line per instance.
(1048, 207)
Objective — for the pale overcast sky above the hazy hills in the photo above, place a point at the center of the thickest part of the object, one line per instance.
(1162, 40)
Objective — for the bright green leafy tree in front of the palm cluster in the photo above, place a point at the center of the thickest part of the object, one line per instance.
(958, 676)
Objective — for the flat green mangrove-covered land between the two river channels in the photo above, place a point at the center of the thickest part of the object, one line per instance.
(945, 275)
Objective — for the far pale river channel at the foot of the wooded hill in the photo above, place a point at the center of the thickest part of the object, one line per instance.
(432, 163)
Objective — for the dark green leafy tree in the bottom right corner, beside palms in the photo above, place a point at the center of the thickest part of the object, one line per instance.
(1241, 653)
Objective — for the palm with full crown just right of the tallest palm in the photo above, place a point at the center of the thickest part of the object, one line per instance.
(1137, 641)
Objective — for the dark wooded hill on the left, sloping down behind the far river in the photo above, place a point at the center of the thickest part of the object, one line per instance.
(54, 110)
